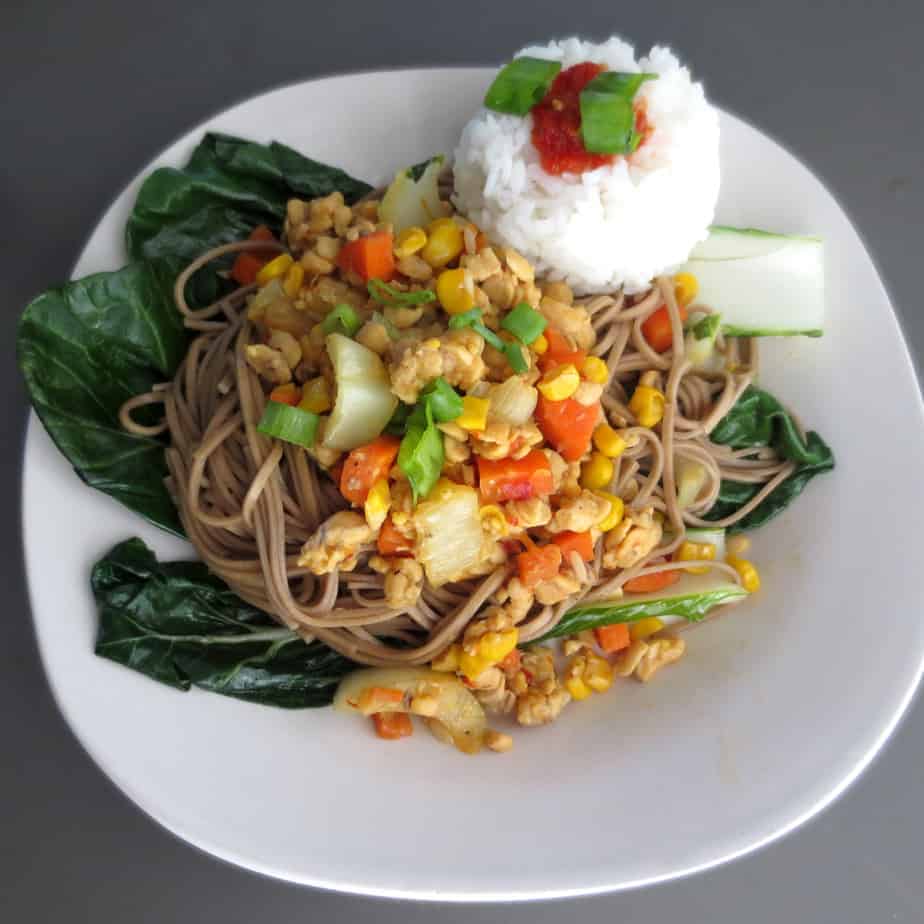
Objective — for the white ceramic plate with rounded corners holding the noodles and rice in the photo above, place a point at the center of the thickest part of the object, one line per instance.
(773, 712)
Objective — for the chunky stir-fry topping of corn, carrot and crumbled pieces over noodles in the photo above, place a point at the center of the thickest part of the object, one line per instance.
(456, 402)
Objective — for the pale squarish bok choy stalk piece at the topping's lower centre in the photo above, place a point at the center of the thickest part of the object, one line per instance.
(449, 530)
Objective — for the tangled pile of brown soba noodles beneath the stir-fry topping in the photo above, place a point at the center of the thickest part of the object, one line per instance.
(249, 503)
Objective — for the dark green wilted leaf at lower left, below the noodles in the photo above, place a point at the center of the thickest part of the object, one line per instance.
(178, 624)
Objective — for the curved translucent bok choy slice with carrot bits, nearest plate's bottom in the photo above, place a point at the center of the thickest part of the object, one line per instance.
(456, 708)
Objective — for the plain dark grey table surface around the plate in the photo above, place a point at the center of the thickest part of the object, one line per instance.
(92, 91)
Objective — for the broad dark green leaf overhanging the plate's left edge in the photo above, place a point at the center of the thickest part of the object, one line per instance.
(87, 347)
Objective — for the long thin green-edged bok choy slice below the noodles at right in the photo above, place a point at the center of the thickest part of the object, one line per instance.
(688, 600)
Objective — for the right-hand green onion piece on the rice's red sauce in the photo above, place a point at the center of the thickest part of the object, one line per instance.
(607, 116)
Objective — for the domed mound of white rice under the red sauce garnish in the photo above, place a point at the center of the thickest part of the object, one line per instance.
(619, 225)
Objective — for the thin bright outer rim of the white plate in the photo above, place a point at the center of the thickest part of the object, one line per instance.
(354, 886)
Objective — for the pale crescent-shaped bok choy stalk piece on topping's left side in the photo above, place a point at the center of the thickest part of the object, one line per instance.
(364, 401)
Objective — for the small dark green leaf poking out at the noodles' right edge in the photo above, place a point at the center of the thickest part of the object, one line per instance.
(758, 419)
